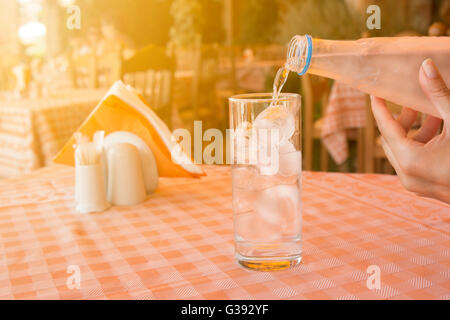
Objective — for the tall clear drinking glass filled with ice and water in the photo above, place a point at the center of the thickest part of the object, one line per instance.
(265, 147)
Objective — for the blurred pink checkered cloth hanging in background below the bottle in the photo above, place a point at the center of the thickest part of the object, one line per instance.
(346, 110)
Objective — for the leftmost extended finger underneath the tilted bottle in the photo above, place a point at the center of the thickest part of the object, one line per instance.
(390, 129)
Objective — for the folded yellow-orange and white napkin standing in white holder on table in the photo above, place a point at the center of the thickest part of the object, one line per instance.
(122, 109)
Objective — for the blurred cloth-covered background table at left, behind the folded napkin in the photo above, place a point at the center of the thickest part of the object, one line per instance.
(32, 131)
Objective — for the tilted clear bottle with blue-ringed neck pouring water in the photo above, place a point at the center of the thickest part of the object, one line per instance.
(384, 67)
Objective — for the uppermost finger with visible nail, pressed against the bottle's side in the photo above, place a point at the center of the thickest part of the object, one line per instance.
(435, 88)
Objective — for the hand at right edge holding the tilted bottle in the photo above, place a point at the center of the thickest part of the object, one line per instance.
(422, 160)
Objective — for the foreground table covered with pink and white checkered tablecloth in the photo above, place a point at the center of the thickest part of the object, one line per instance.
(178, 244)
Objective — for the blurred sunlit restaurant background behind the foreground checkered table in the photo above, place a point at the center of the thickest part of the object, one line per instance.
(187, 57)
